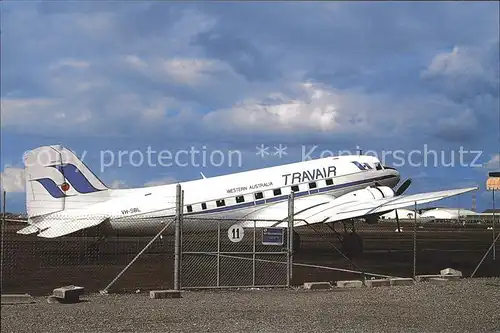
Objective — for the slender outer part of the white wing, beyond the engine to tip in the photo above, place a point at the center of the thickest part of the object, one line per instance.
(361, 209)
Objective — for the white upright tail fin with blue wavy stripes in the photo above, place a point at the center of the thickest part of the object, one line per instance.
(56, 180)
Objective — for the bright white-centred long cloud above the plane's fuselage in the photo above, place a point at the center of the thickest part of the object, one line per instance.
(317, 110)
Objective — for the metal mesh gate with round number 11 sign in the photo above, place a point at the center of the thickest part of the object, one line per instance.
(221, 254)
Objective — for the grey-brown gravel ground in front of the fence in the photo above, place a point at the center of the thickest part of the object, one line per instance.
(471, 305)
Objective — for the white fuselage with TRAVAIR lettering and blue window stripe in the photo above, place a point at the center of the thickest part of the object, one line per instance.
(235, 196)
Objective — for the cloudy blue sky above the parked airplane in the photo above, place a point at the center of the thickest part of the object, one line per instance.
(415, 82)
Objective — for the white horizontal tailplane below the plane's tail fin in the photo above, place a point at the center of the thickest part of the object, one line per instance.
(57, 227)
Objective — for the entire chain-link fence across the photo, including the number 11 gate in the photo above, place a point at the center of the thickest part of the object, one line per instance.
(212, 259)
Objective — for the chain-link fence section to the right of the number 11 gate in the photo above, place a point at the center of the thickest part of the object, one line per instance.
(429, 245)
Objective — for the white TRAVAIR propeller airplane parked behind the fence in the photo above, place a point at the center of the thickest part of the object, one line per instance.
(64, 196)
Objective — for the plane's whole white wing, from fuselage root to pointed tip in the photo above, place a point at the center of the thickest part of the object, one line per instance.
(322, 208)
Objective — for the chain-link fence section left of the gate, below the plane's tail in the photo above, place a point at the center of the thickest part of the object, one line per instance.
(38, 265)
